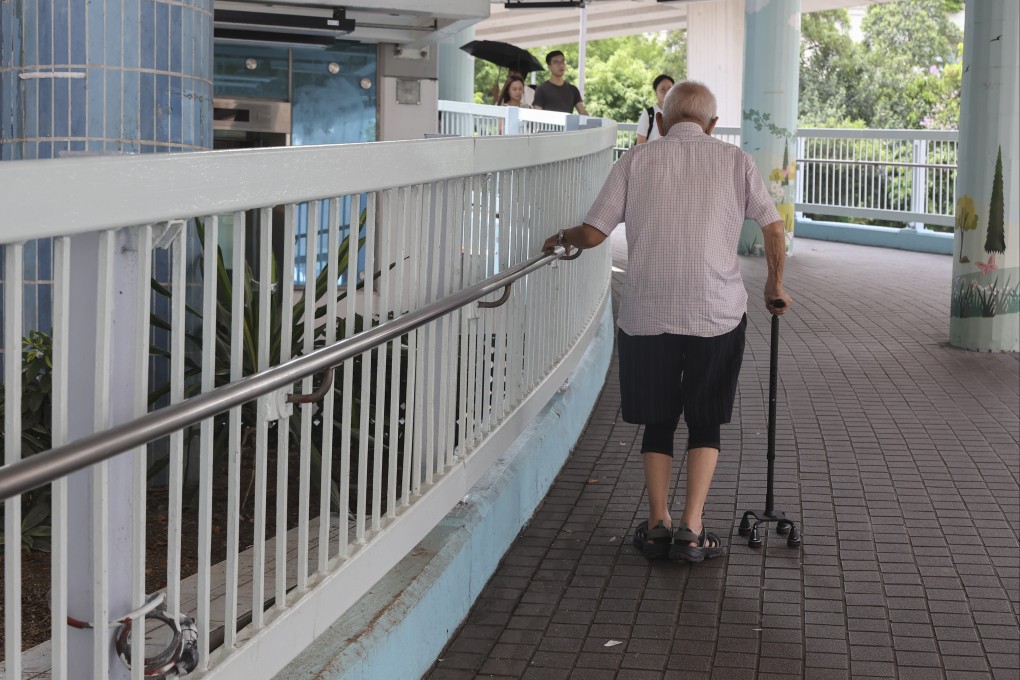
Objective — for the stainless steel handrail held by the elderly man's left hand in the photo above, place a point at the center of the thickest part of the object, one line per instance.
(43, 468)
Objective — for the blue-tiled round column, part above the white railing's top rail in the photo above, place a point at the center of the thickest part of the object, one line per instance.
(105, 77)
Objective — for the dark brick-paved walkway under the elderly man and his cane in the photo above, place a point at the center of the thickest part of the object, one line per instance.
(898, 454)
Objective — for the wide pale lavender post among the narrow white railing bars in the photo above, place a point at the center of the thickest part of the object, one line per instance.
(101, 389)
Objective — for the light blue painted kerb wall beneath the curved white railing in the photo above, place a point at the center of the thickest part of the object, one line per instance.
(399, 631)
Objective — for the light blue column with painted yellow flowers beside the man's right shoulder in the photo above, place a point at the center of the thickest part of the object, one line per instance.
(769, 128)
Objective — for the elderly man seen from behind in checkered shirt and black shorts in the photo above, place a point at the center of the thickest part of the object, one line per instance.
(683, 316)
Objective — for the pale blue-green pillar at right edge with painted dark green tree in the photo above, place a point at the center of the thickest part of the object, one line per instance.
(985, 311)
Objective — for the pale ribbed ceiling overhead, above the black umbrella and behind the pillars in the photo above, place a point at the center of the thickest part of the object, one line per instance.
(606, 19)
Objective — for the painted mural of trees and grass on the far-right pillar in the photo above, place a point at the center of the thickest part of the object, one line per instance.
(987, 292)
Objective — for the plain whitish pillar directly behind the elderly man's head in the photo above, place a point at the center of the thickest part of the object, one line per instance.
(716, 55)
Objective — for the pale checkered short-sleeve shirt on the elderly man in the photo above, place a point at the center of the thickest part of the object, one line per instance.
(684, 198)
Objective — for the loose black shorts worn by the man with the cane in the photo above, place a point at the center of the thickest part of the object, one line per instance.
(664, 377)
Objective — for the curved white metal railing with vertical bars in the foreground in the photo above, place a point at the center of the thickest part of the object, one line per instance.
(346, 487)
